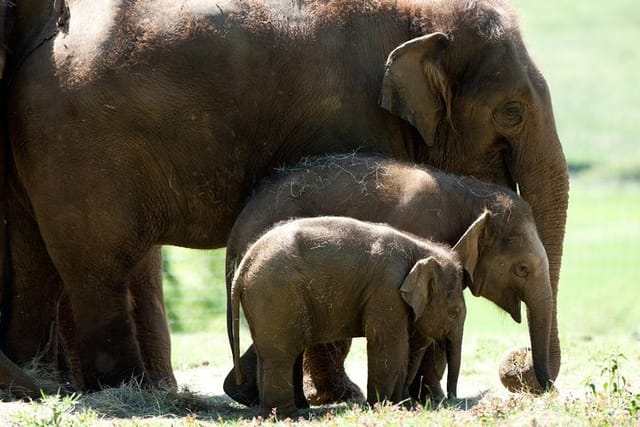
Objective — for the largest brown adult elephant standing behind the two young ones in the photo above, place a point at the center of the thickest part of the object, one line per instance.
(140, 123)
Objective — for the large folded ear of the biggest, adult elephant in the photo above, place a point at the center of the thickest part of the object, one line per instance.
(414, 86)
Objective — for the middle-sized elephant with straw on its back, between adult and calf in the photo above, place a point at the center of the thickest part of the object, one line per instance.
(511, 264)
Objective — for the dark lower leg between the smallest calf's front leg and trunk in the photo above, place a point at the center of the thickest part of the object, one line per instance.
(426, 384)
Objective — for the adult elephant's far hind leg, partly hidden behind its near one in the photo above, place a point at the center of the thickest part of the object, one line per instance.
(149, 315)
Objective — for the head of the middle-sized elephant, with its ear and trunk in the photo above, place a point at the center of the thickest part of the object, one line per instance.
(505, 262)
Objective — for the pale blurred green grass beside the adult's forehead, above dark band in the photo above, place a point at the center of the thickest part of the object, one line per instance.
(588, 54)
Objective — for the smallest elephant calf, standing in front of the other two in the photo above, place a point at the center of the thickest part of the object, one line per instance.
(318, 280)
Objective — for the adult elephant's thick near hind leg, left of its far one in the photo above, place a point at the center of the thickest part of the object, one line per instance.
(96, 271)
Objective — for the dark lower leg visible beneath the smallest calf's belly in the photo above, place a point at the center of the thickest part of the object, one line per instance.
(324, 364)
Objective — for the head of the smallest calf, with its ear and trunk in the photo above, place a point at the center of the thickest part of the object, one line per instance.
(433, 290)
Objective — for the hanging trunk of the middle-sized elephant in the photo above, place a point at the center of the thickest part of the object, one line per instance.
(539, 314)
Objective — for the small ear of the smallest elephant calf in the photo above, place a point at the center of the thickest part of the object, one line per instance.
(417, 289)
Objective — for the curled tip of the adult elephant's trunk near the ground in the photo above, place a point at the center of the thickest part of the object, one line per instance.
(517, 374)
